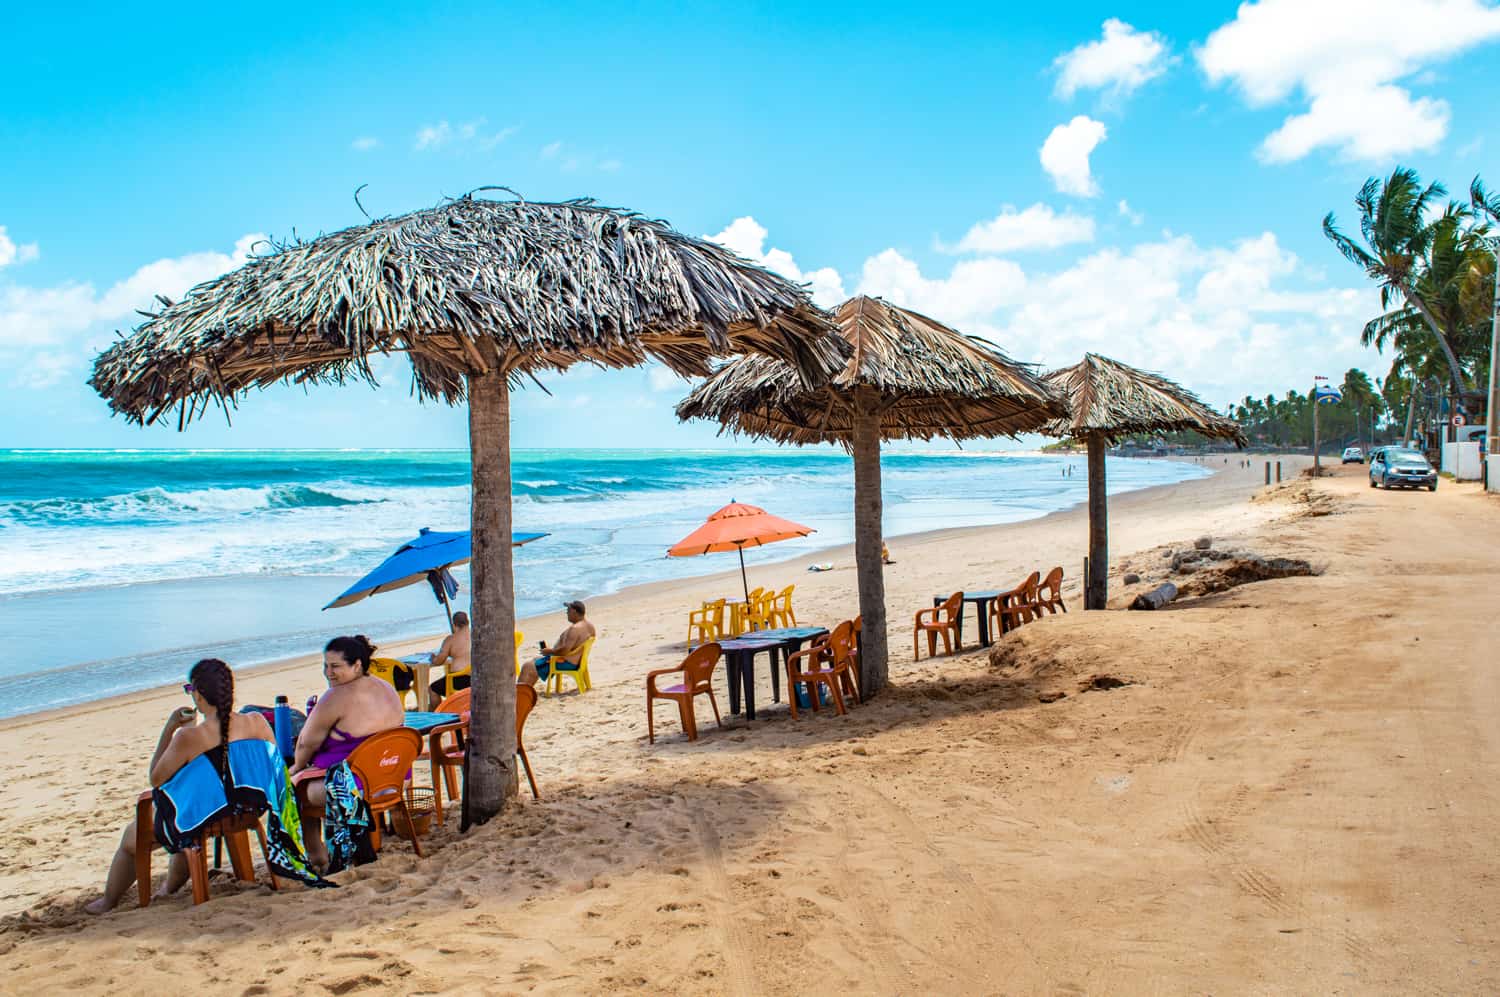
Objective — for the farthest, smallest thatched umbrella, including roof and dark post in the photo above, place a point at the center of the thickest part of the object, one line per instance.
(1111, 401)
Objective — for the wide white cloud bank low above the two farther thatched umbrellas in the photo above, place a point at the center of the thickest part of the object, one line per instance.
(1223, 320)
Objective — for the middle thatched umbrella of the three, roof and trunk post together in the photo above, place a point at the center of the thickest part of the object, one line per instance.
(907, 377)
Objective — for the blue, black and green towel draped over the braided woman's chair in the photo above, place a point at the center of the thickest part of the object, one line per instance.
(257, 785)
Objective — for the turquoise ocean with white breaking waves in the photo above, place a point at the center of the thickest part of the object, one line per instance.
(119, 569)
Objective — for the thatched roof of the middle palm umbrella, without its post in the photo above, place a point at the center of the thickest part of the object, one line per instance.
(928, 380)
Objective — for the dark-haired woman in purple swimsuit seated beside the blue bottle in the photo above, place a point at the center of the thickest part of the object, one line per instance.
(356, 707)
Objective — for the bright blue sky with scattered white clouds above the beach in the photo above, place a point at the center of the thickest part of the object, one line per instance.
(1144, 181)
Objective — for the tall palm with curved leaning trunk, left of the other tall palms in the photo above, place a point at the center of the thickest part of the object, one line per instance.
(1399, 242)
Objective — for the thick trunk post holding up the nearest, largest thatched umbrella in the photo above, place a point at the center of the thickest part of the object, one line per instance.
(493, 602)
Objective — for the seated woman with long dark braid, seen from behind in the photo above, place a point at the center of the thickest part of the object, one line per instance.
(211, 684)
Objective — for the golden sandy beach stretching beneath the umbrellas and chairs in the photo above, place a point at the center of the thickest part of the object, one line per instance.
(1289, 791)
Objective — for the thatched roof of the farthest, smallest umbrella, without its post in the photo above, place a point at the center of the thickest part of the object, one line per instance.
(1108, 397)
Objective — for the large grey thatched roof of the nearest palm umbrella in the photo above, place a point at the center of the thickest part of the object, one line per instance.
(470, 286)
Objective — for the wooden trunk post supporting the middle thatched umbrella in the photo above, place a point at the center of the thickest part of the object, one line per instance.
(868, 530)
